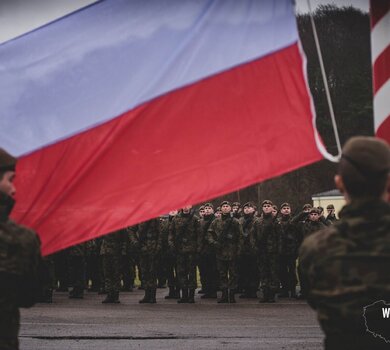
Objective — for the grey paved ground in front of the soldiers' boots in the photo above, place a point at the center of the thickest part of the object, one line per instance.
(88, 324)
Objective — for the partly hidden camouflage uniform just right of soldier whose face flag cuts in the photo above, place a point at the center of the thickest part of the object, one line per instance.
(207, 259)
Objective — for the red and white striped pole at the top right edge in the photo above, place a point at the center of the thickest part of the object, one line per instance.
(380, 57)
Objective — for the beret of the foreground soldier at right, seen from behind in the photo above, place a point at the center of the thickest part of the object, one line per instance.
(370, 156)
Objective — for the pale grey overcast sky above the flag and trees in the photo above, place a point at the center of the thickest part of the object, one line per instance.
(20, 16)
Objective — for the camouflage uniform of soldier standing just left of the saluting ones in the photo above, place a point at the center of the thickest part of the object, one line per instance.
(288, 255)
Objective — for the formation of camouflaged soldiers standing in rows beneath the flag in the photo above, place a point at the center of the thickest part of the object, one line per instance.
(233, 255)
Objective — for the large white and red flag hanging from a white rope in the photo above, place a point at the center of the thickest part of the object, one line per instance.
(124, 110)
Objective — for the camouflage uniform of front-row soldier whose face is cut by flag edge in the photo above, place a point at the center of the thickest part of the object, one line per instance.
(183, 237)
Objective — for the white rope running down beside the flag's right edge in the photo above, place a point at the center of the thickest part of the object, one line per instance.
(327, 92)
